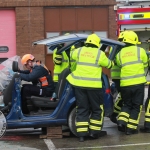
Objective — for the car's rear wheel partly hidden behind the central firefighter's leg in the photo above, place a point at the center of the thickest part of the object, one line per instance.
(72, 121)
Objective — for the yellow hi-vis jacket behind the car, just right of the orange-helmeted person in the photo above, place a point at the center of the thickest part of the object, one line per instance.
(59, 68)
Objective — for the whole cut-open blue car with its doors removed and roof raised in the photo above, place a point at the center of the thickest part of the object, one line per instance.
(43, 112)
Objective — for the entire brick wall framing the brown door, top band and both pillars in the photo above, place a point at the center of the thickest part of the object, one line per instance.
(30, 20)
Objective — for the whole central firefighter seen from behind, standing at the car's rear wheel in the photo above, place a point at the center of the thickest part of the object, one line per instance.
(86, 80)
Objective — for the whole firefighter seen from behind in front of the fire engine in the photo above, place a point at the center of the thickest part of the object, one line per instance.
(132, 60)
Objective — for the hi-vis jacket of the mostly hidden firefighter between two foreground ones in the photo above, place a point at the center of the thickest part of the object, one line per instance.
(115, 70)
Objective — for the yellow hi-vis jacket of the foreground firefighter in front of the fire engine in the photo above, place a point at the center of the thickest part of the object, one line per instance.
(132, 60)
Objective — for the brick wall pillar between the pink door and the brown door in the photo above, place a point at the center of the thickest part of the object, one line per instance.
(29, 28)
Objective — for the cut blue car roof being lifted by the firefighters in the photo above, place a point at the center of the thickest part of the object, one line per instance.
(73, 39)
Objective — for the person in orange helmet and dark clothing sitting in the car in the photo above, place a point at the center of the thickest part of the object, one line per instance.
(35, 73)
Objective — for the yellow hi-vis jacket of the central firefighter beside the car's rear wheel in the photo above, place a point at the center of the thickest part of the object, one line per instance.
(89, 62)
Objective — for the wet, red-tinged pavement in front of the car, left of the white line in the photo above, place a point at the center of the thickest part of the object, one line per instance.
(22, 139)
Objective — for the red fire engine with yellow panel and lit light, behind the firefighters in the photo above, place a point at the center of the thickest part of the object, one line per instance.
(134, 15)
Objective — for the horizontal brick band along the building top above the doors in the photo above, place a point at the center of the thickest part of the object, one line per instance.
(14, 3)
